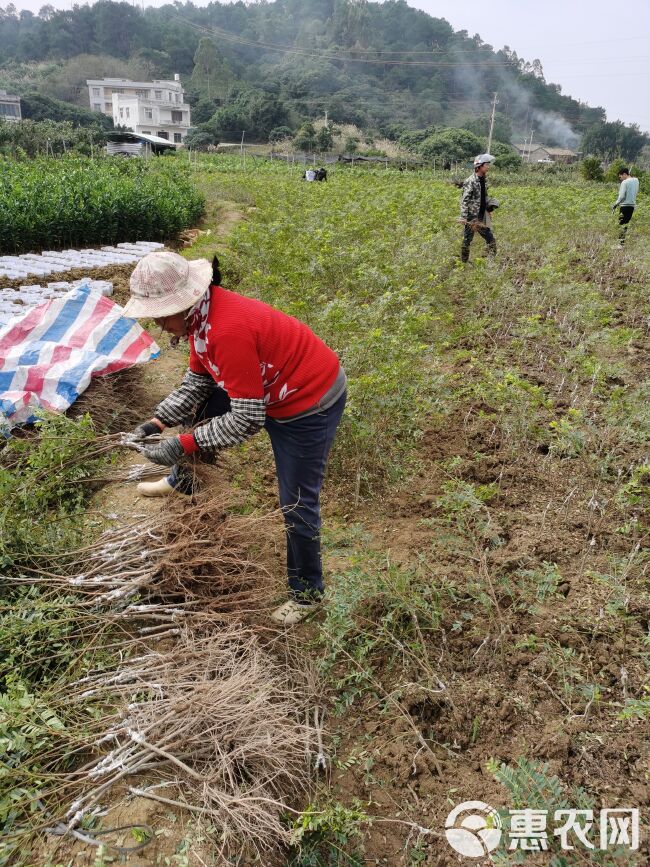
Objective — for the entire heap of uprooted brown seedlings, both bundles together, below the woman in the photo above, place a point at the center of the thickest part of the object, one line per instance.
(209, 707)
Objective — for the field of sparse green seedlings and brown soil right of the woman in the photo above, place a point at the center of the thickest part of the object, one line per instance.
(486, 628)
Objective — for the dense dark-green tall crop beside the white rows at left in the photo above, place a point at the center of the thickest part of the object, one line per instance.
(75, 201)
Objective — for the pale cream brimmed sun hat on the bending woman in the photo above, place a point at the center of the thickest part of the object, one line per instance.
(165, 283)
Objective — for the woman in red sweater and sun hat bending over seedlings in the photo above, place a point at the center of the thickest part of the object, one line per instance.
(251, 366)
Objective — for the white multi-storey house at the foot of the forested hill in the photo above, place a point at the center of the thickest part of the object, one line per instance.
(155, 108)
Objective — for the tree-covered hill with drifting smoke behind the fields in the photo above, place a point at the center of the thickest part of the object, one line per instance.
(373, 64)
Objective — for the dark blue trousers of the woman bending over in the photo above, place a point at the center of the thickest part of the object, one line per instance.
(300, 448)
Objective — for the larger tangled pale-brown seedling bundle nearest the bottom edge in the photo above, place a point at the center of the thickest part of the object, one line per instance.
(211, 724)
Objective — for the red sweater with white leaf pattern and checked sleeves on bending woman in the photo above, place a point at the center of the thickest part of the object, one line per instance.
(268, 362)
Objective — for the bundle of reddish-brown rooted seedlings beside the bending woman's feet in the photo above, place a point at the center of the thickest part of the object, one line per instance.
(195, 556)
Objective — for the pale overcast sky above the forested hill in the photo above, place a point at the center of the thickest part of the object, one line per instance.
(599, 52)
